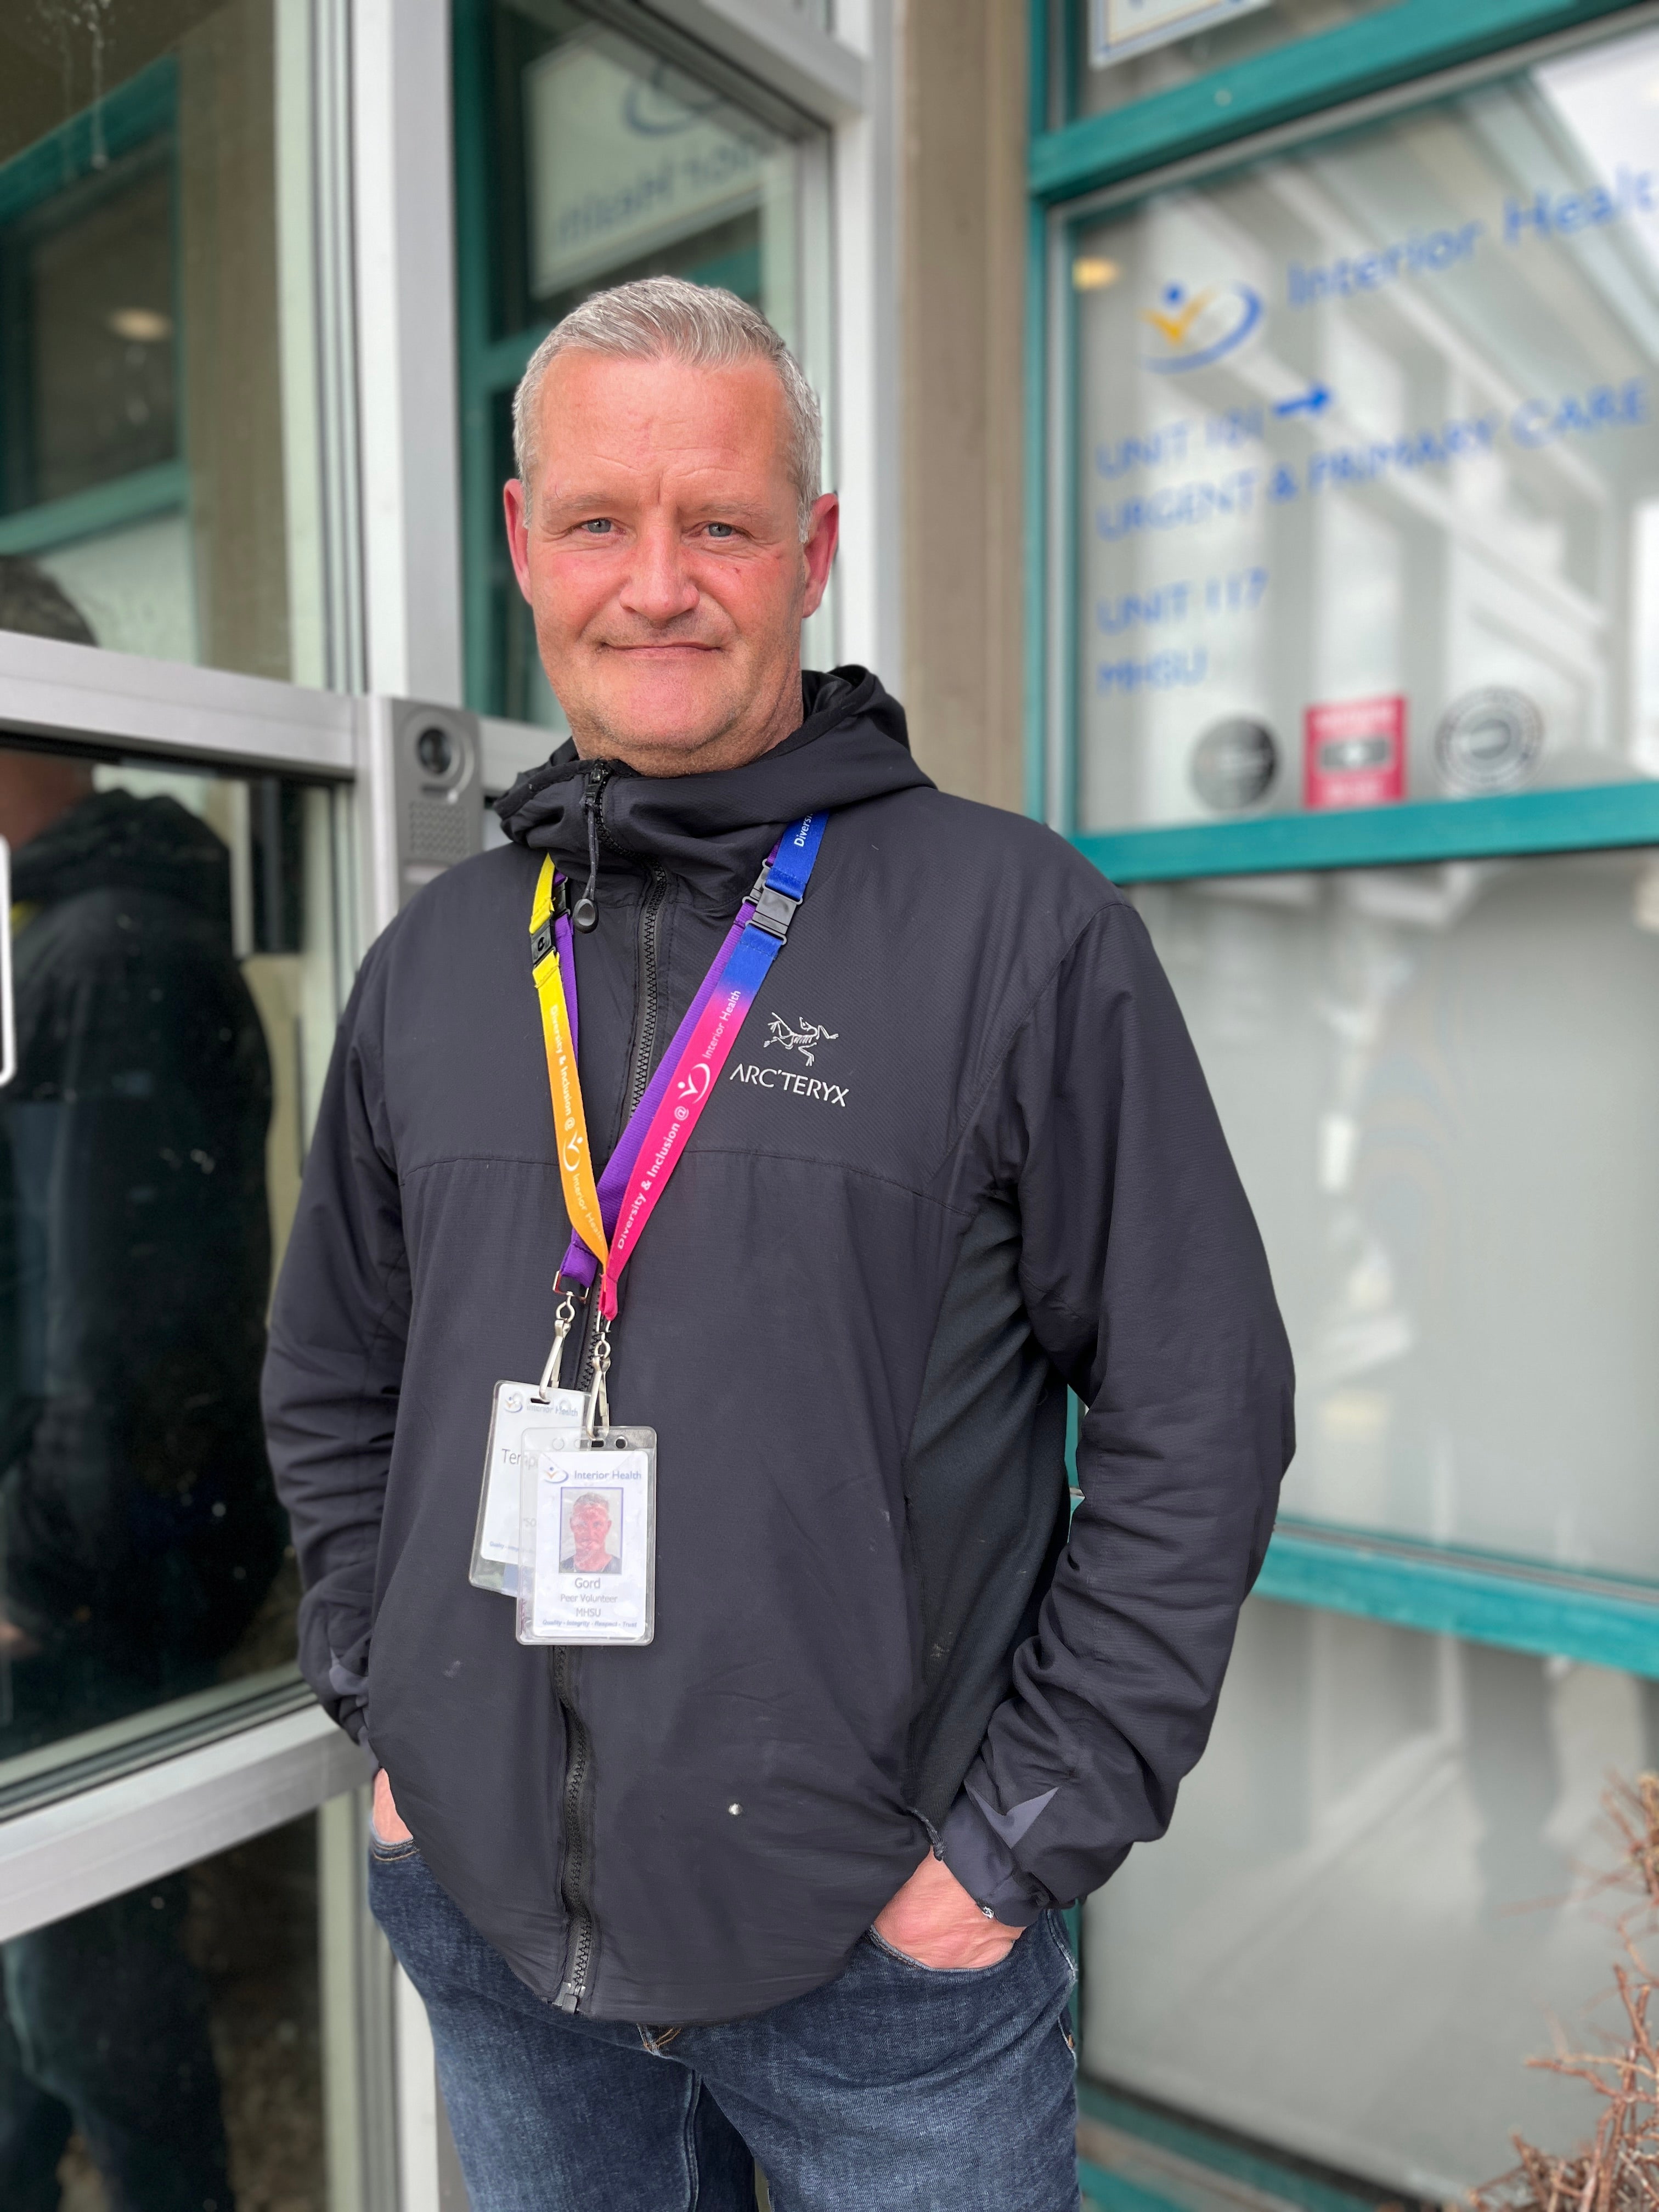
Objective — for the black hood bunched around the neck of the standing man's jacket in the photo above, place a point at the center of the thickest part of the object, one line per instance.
(713, 831)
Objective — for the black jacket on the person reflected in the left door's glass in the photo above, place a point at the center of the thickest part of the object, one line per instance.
(138, 1521)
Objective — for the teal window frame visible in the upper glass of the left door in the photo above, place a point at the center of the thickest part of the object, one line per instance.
(136, 114)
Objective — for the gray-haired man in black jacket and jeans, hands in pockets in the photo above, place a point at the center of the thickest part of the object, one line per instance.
(866, 1127)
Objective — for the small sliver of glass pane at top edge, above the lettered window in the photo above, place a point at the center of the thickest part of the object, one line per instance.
(1125, 50)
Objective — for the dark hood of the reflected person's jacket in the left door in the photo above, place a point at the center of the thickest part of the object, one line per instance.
(118, 844)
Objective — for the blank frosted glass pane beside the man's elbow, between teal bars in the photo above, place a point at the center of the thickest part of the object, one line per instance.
(1441, 1096)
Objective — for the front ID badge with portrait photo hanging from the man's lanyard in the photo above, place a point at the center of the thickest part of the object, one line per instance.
(587, 1541)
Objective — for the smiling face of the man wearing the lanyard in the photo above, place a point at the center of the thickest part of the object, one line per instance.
(662, 561)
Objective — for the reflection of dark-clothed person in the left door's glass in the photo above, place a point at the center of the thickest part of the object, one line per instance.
(138, 1523)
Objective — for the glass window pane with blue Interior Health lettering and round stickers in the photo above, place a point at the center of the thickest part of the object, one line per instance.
(1368, 470)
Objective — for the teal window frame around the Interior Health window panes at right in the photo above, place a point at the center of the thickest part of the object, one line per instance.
(1315, 83)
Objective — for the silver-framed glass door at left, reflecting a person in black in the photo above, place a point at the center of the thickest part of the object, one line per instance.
(194, 2007)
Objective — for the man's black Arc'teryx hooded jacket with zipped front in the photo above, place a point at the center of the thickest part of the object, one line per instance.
(853, 1324)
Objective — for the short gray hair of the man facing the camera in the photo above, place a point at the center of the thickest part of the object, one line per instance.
(665, 317)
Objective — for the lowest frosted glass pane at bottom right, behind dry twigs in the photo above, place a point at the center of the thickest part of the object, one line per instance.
(1370, 1908)
